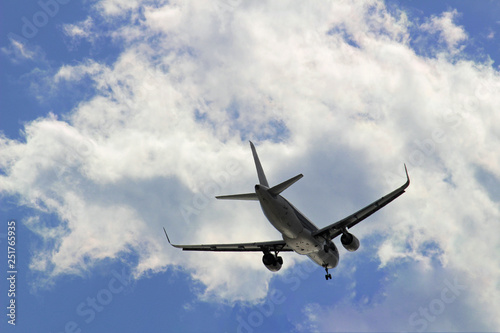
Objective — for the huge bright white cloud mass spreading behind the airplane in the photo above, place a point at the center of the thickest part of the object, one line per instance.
(332, 90)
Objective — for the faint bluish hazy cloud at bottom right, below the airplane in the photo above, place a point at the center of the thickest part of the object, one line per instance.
(413, 299)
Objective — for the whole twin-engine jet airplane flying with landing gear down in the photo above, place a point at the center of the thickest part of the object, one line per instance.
(298, 232)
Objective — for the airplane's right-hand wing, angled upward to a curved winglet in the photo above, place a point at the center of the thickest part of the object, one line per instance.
(335, 229)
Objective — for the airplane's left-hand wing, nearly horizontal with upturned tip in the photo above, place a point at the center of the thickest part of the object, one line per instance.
(272, 246)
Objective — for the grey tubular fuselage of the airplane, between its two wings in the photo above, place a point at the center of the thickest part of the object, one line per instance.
(296, 229)
